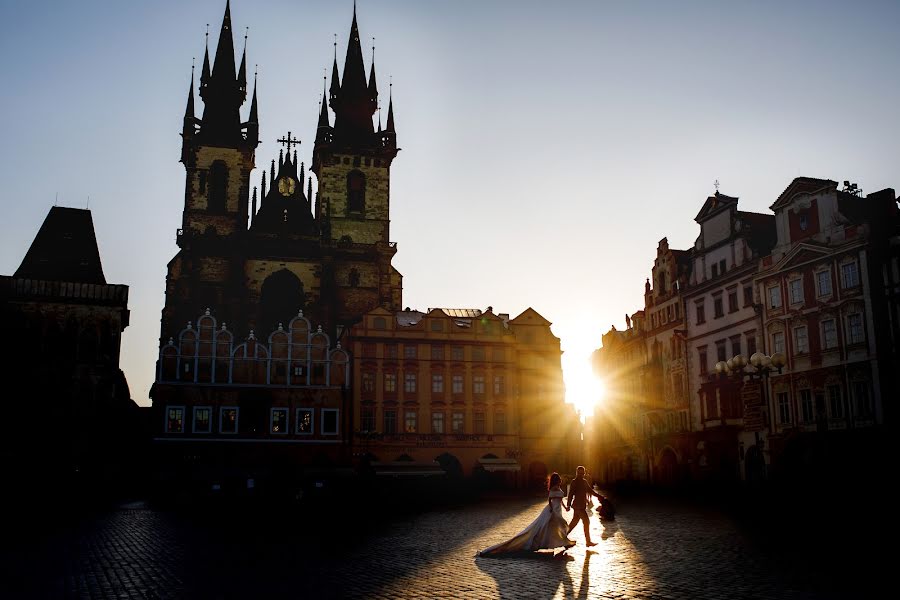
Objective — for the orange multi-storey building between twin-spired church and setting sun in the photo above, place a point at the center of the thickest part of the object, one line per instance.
(472, 390)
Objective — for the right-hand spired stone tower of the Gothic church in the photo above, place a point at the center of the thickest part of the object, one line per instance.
(352, 162)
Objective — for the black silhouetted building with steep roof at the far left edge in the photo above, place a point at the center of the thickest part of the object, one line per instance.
(64, 323)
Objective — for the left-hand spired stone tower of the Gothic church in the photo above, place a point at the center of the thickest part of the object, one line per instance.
(218, 153)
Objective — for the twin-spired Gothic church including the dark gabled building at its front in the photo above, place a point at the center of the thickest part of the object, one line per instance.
(266, 281)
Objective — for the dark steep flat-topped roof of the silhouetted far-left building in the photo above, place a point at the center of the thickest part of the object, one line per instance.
(65, 249)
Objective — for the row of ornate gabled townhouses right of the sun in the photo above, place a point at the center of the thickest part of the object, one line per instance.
(815, 284)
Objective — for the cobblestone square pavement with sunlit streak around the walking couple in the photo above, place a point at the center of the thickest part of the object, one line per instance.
(653, 550)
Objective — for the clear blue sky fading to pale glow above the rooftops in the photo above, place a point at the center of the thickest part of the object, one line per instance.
(547, 146)
